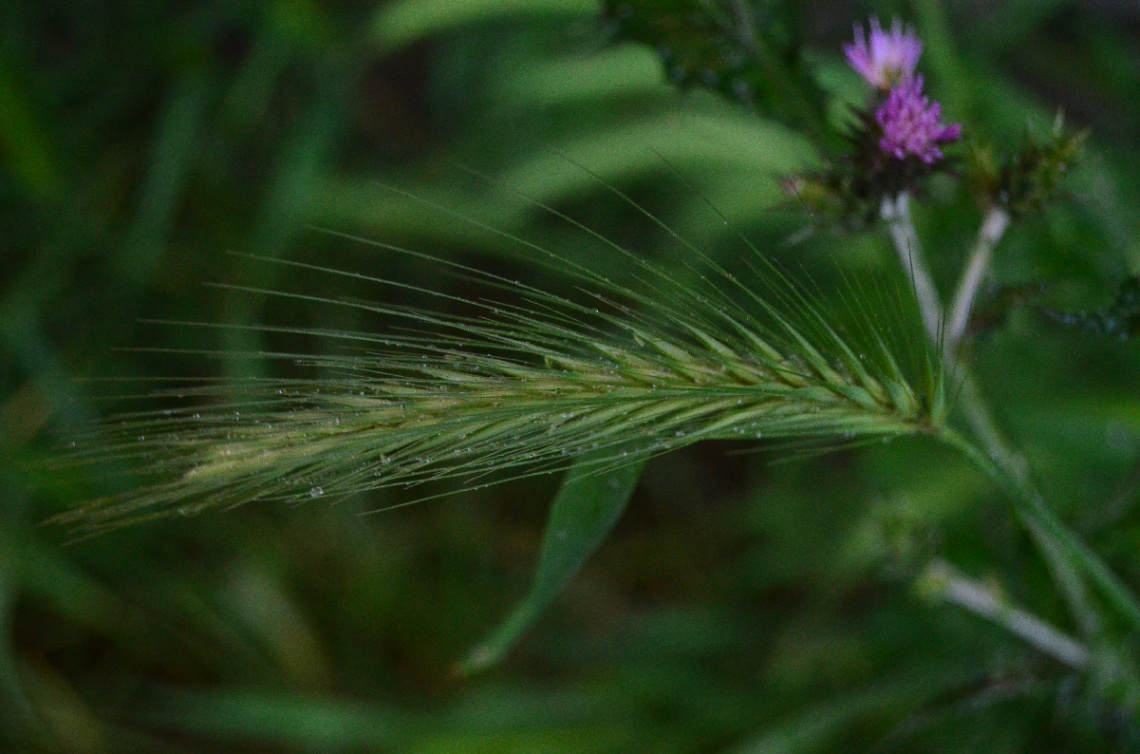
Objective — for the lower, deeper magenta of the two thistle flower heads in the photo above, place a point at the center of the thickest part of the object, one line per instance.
(911, 124)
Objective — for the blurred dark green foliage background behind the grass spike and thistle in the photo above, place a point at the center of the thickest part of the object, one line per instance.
(739, 606)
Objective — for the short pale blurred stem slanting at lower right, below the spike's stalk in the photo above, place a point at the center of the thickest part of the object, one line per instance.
(948, 583)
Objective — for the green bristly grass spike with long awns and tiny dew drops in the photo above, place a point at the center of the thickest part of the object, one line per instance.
(525, 390)
